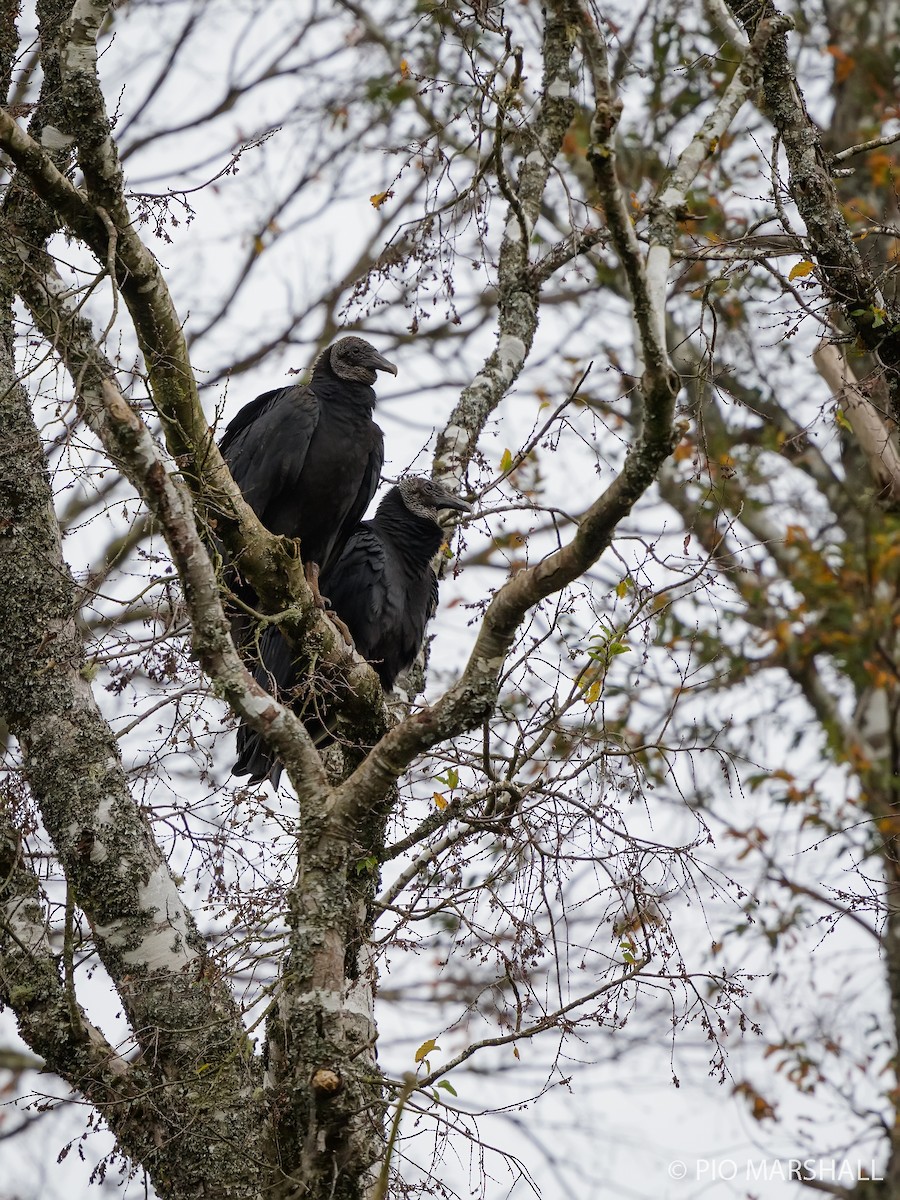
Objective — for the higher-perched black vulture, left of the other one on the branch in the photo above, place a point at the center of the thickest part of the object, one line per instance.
(308, 459)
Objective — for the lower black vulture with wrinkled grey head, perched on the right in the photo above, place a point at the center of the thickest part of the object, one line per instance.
(382, 587)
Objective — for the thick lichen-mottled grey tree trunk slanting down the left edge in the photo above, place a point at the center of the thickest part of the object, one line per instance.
(199, 1066)
